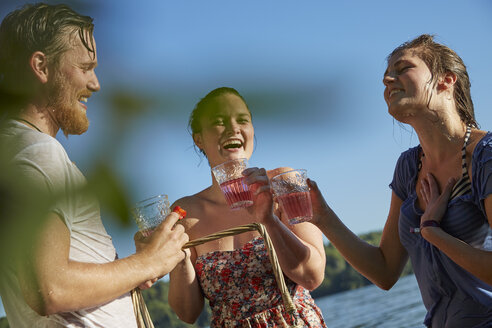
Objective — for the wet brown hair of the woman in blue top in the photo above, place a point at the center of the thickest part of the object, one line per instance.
(440, 60)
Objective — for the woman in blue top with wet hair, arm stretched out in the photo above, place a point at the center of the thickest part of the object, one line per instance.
(441, 205)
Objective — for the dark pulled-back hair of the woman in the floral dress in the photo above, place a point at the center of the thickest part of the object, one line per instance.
(204, 108)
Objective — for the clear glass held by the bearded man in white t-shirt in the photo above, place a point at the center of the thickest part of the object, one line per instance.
(150, 212)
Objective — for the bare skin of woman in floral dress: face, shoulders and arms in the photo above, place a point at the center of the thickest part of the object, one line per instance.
(299, 247)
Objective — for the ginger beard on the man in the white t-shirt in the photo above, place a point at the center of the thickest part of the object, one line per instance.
(65, 106)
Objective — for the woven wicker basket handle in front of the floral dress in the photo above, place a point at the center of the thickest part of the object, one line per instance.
(277, 271)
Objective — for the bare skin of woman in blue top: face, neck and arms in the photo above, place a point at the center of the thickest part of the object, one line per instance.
(427, 104)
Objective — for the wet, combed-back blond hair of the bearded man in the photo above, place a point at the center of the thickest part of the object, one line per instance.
(36, 27)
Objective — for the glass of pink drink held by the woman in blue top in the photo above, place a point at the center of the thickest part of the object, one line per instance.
(292, 193)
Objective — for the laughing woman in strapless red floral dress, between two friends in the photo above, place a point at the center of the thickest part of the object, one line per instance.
(234, 273)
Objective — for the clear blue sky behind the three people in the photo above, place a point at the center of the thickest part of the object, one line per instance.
(310, 71)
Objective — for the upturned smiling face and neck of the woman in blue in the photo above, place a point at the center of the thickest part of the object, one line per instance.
(415, 97)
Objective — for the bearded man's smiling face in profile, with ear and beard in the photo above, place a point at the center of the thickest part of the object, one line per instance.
(64, 89)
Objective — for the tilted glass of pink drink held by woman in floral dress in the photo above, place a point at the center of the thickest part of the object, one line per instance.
(230, 177)
